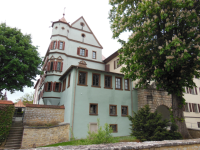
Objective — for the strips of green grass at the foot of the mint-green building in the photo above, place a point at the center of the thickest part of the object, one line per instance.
(79, 142)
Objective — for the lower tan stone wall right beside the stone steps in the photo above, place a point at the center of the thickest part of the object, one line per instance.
(41, 136)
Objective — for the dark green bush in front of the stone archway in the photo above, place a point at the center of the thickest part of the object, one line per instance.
(147, 126)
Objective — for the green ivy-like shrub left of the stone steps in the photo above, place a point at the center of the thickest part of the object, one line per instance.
(6, 115)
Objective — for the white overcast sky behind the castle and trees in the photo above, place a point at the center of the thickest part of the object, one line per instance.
(34, 17)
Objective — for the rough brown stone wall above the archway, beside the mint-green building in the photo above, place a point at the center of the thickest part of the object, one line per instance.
(153, 97)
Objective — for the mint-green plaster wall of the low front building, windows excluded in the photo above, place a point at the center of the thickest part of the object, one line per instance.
(84, 95)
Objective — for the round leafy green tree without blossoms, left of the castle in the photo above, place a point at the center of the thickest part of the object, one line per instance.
(19, 60)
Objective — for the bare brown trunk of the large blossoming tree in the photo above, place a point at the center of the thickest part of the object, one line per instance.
(178, 114)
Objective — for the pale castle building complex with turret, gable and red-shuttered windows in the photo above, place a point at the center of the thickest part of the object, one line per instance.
(78, 76)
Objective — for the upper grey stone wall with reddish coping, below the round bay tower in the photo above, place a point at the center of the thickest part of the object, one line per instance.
(43, 114)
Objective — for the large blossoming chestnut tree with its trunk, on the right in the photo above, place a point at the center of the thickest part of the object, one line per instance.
(163, 45)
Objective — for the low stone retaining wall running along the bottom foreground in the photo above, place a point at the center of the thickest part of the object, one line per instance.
(193, 144)
